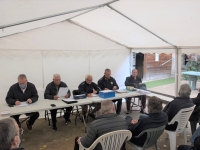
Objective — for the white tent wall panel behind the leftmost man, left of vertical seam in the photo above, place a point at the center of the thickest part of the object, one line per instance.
(20, 62)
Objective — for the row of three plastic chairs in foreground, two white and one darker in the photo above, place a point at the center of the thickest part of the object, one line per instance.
(114, 140)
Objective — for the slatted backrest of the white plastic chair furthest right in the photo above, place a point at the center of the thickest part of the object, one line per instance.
(182, 118)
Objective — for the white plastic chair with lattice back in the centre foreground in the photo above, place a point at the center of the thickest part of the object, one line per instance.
(110, 141)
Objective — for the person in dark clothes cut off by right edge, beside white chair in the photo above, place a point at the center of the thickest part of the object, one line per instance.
(195, 116)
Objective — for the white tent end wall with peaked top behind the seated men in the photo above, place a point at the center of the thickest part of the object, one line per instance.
(62, 48)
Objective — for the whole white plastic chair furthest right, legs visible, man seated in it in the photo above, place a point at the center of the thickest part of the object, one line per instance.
(182, 118)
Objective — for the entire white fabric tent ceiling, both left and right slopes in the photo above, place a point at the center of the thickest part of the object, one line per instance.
(174, 20)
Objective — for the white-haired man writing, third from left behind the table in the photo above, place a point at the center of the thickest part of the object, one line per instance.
(89, 88)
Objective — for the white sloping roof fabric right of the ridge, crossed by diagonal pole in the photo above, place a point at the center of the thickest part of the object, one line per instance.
(175, 21)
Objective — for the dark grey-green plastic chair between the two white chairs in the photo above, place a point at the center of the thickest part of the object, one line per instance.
(152, 136)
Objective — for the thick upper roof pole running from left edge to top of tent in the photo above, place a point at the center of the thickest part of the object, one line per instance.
(55, 15)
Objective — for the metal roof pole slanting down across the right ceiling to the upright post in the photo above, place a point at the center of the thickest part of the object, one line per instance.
(140, 25)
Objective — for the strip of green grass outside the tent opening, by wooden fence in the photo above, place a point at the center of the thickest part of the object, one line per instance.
(155, 83)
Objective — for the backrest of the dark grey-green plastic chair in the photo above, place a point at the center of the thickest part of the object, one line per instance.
(152, 136)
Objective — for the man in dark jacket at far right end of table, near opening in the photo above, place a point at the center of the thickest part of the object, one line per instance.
(134, 80)
